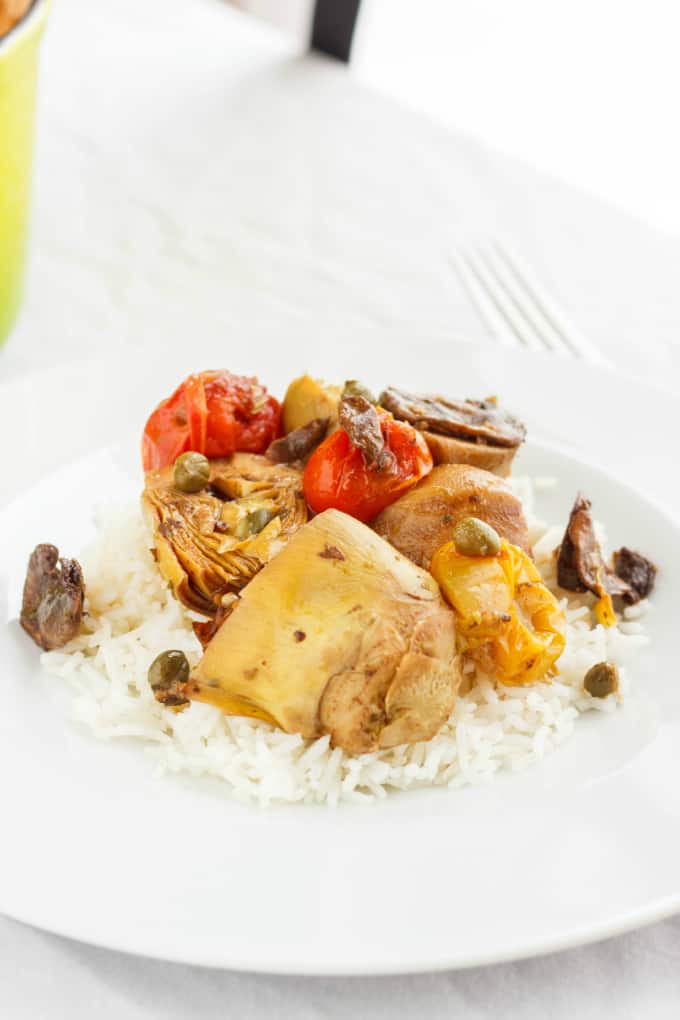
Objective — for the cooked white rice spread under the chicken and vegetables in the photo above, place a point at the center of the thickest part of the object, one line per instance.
(133, 618)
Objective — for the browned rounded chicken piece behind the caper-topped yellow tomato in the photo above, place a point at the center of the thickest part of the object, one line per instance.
(425, 519)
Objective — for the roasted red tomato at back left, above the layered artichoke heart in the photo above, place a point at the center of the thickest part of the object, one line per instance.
(215, 414)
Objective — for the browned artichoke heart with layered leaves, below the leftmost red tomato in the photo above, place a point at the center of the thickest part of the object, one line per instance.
(211, 544)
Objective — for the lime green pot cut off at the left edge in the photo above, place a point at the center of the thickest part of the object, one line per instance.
(19, 74)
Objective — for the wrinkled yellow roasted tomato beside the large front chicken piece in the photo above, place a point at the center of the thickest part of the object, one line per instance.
(509, 624)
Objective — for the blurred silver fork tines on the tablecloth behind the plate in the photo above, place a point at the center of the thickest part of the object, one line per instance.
(515, 307)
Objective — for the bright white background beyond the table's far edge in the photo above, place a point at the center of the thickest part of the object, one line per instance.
(587, 90)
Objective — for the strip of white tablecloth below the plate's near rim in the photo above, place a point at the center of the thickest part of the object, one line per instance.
(634, 978)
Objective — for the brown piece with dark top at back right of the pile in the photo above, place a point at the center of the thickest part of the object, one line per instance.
(466, 432)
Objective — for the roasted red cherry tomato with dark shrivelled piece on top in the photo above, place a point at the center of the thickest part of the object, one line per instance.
(338, 476)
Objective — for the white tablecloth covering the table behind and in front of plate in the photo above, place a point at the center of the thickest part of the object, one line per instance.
(196, 178)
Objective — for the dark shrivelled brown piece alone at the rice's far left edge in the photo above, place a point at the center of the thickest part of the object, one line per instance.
(54, 597)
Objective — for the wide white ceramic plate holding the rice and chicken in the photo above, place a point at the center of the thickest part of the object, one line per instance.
(584, 846)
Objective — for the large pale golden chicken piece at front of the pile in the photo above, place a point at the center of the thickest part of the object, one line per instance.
(339, 635)
